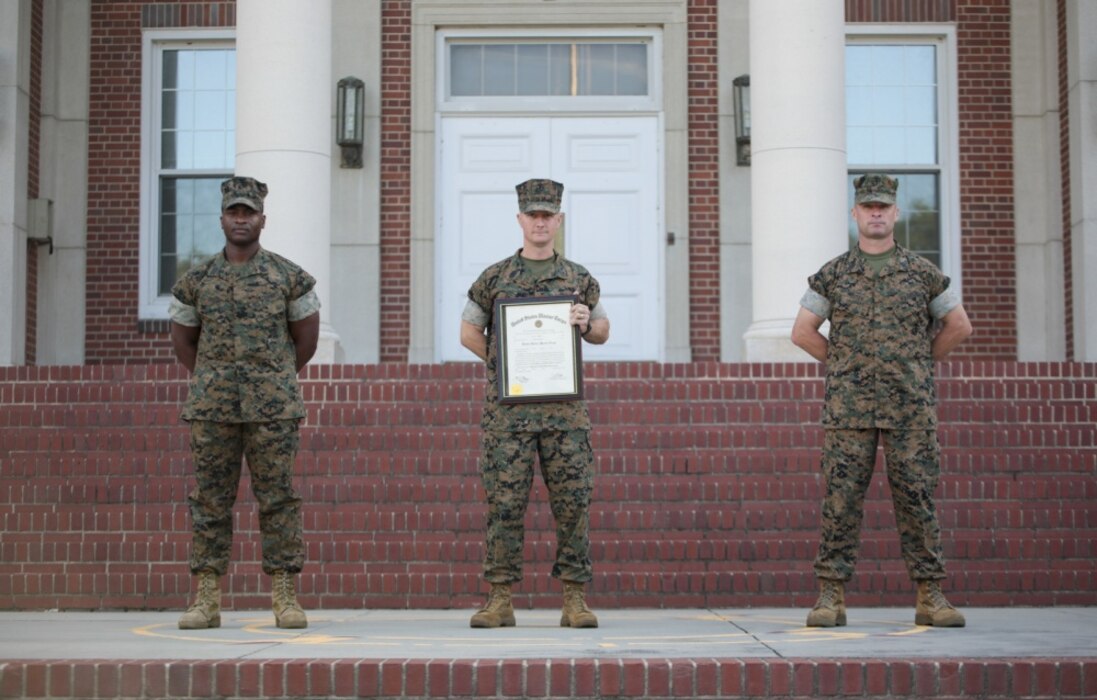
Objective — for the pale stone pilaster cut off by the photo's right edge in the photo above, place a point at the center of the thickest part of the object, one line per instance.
(1082, 98)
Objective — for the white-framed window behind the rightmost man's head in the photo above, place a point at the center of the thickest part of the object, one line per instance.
(899, 121)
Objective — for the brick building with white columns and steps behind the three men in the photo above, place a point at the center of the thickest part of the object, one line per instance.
(120, 118)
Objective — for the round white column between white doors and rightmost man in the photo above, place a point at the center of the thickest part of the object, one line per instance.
(798, 201)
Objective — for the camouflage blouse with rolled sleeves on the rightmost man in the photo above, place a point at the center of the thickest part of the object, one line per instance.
(879, 364)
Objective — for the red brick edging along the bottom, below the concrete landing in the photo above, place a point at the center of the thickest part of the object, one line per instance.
(649, 679)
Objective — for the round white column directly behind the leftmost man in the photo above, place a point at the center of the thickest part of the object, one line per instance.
(284, 132)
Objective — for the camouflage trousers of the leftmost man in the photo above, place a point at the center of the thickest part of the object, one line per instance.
(219, 450)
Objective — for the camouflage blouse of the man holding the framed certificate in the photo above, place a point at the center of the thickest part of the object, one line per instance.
(512, 278)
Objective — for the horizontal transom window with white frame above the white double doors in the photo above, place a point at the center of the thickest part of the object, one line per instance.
(606, 71)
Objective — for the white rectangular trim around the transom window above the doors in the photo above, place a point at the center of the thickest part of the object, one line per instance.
(652, 103)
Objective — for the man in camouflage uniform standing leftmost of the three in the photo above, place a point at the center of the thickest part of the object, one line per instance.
(245, 322)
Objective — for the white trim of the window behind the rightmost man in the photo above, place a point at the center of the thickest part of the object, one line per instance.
(945, 38)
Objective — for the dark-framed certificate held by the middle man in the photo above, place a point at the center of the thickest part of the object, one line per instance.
(539, 351)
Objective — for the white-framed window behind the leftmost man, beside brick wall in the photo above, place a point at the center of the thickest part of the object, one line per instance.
(189, 149)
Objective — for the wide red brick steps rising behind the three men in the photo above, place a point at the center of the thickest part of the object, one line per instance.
(708, 490)
